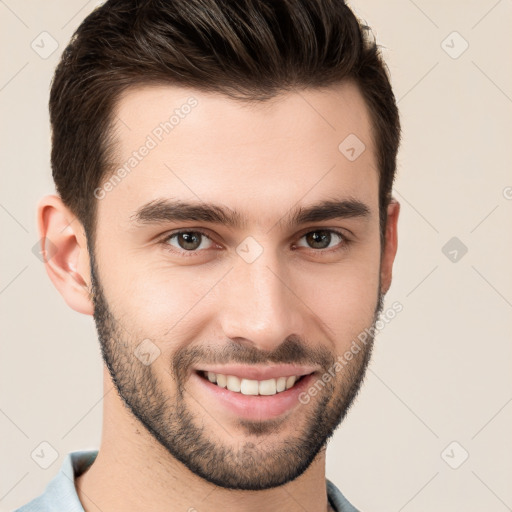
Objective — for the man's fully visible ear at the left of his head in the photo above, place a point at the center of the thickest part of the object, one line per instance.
(65, 252)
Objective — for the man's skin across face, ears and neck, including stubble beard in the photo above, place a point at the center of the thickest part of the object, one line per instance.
(164, 442)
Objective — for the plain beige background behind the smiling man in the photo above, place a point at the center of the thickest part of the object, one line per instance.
(442, 368)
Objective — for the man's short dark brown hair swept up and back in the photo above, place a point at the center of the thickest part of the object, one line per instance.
(245, 49)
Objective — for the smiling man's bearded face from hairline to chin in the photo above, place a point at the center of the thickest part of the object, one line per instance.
(265, 292)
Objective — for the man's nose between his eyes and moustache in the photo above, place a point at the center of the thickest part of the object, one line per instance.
(258, 305)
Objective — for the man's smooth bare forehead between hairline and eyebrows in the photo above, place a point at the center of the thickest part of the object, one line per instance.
(257, 158)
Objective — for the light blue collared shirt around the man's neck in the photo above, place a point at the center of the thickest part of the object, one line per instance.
(60, 494)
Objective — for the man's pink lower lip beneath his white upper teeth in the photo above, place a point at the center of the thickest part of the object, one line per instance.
(255, 407)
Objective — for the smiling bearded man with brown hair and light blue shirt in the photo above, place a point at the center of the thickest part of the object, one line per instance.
(224, 172)
